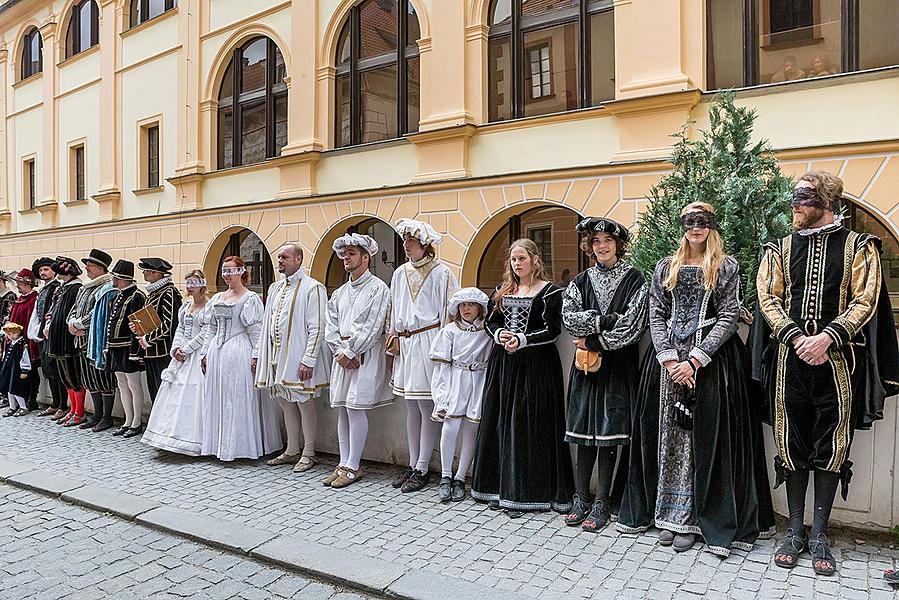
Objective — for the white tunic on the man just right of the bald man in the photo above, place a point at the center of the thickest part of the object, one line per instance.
(356, 317)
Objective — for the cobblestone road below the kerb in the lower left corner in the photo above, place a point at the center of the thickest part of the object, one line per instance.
(53, 550)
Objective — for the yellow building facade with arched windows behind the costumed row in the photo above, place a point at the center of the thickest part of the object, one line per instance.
(195, 129)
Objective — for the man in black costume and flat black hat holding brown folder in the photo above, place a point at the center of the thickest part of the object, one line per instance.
(165, 299)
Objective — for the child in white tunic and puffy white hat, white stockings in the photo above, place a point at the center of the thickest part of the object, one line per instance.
(460, 354)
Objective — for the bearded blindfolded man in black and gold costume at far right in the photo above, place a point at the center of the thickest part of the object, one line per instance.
(826, 351)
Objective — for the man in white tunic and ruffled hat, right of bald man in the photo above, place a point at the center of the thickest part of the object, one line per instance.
(354, 332)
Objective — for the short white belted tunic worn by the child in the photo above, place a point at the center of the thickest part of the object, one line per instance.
(460, 354)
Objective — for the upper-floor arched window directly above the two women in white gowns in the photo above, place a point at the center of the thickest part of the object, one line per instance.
(252, 105)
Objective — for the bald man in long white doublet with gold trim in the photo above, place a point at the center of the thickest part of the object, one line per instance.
(289, 365)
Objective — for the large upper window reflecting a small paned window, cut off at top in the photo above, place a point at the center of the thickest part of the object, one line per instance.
(548, 57)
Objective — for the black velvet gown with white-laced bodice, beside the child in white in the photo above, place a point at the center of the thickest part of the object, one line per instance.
(522, 461)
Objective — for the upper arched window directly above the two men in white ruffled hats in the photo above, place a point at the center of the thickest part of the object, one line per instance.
(378, 73)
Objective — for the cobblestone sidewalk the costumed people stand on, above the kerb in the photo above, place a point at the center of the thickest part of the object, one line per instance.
(535, 555)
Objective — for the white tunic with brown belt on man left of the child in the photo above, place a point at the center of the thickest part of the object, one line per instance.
(420, 294)
